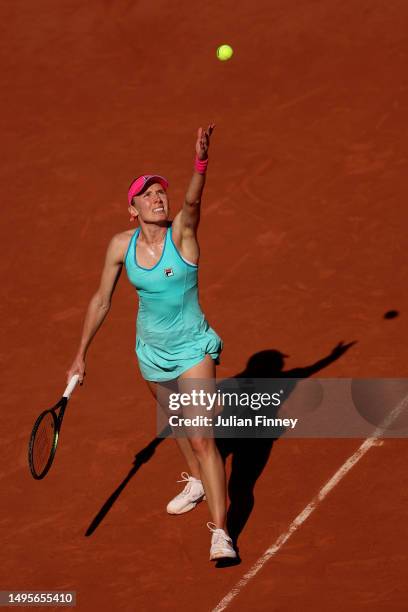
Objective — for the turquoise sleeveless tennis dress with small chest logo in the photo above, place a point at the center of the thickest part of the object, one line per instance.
(172, 333)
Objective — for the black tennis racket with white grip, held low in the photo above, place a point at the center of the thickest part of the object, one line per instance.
(45, 433)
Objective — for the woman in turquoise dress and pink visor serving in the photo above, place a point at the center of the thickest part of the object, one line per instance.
(174, 341)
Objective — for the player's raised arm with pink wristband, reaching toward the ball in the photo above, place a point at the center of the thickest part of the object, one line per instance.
(187, 220)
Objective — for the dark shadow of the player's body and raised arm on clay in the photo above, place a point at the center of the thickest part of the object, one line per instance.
(249, 456)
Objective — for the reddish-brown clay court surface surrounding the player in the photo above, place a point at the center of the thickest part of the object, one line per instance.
(303, 239)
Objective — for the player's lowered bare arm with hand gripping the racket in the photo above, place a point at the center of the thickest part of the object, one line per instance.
(100, 303)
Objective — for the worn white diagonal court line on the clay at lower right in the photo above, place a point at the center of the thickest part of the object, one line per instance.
(306, 512)
